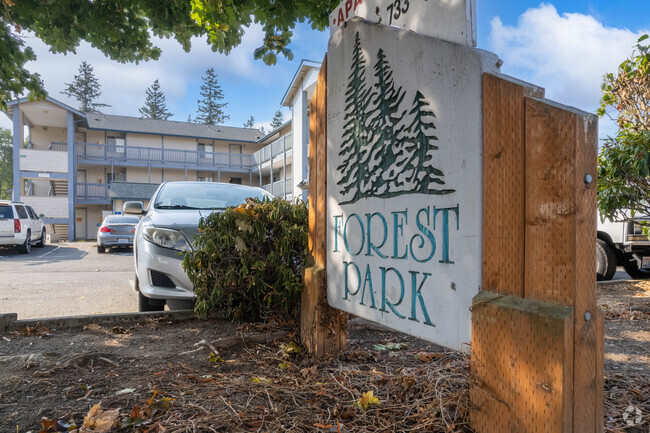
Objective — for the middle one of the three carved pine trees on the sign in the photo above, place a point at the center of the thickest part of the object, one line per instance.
(387, 158)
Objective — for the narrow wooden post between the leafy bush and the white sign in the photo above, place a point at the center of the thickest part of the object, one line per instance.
(323, 329)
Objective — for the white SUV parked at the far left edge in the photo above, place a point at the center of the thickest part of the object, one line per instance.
(20, 226)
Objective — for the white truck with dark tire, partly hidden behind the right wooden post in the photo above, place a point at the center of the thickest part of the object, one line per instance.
(624, 244)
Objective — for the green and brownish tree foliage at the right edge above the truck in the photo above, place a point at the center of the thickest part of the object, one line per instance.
(624, 160)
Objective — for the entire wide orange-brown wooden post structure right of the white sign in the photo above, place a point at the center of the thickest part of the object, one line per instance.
(537, 335)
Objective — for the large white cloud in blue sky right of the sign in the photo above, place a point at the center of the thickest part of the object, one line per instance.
(567, 54)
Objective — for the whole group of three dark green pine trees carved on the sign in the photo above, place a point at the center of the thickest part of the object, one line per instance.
(387, 151)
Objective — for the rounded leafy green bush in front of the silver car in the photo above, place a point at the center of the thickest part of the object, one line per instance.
(250, 259)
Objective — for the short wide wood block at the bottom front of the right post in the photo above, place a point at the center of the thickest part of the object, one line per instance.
(522, 362)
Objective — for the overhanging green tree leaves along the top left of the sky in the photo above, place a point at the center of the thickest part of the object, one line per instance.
(123, 29)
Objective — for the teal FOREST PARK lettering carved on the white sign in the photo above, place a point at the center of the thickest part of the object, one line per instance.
(400, 237)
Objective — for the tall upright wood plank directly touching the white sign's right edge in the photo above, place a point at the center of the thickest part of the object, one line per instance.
(503, 186)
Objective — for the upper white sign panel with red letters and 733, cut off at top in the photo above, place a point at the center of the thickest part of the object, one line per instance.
(450, 20)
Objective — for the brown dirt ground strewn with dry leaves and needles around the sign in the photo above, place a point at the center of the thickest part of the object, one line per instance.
(144, 382)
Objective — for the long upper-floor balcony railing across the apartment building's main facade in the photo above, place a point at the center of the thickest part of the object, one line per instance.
(115, 153)
